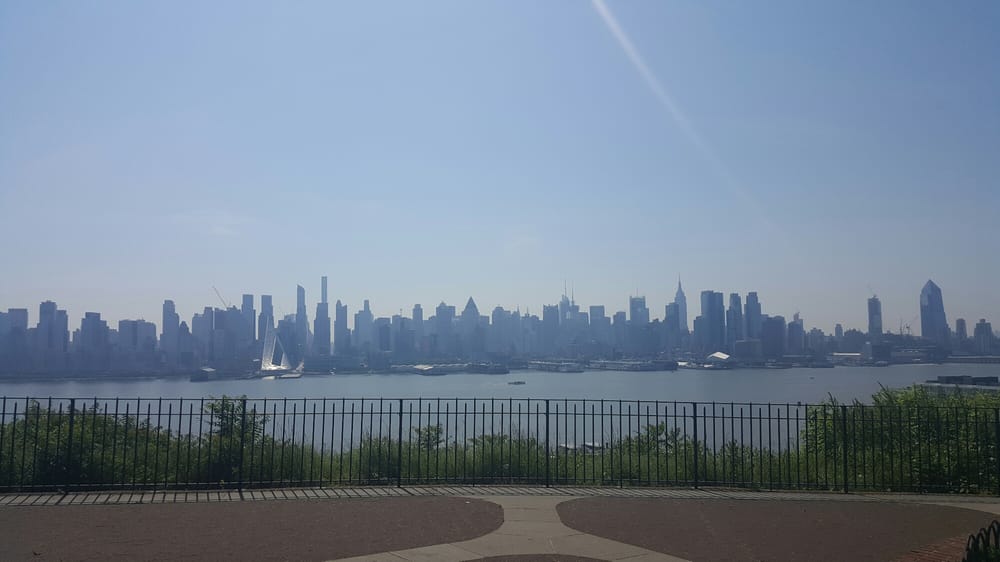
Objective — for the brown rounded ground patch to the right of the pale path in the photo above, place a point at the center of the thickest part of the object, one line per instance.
(716, 530)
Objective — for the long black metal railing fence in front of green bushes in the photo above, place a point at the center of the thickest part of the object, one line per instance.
(115, 443)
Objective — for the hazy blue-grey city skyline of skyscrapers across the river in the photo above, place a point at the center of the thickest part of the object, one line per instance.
(240, 338)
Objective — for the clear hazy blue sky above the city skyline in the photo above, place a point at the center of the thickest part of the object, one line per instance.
(814, 152)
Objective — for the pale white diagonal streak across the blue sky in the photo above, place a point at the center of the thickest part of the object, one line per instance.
(671, 106)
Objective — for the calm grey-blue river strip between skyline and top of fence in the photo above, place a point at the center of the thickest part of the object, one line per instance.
(742, 385)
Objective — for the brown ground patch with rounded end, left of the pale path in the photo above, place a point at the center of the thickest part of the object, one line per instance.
(263, 530)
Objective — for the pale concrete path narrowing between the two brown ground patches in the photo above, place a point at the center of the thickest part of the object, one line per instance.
(531, 526)
